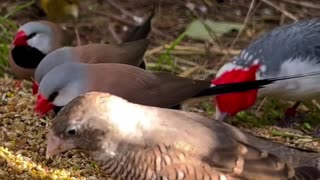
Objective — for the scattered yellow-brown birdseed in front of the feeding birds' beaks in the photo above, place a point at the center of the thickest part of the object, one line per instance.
(22, 141)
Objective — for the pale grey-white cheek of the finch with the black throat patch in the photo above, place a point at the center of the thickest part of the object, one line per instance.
(42, 42)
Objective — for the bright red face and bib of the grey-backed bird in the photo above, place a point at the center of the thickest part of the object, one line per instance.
(232, 103)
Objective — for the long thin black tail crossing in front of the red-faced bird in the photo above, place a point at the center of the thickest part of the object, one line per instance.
(248, 85)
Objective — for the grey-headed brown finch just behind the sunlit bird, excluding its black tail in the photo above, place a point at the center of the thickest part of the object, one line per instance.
(69, 80)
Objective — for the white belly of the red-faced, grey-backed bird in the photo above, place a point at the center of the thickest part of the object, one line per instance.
(295, 89)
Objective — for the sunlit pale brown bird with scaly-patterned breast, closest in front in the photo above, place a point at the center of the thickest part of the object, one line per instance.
(133, 141)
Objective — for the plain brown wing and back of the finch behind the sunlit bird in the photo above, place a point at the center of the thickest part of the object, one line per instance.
(143, 87)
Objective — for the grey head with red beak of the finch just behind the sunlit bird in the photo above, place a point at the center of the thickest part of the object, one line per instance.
(59, 87)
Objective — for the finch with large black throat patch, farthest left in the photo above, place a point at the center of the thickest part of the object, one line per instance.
(32, 42)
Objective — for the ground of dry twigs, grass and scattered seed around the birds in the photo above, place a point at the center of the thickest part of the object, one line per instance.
(22, 133)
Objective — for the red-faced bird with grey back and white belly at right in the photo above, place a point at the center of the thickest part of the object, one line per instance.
(286, 50)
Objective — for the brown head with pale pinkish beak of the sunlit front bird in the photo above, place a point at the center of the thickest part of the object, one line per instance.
(87, 123)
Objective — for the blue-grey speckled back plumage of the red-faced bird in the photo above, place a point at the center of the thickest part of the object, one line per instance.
(298, 40)
